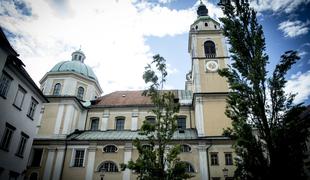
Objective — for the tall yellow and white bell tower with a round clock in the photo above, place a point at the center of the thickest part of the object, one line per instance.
(208, 54)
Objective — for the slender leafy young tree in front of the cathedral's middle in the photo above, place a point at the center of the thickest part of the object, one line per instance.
(159, 159)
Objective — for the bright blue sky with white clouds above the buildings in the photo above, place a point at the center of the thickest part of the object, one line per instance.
(119, 37)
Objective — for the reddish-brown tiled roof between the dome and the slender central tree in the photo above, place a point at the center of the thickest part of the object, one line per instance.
(124, 98)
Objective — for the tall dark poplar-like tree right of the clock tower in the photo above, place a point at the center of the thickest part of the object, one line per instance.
(269, 135)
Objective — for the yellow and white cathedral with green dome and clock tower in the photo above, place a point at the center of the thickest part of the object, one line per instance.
(83, 135)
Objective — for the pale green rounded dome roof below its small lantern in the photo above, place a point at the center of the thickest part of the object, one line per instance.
(74, 66)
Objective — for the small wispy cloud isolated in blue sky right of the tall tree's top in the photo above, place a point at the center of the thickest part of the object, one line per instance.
(294, 28)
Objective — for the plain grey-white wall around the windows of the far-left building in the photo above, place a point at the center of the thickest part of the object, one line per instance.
(19, 119)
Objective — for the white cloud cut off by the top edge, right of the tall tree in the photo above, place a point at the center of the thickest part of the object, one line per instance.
(277, 5)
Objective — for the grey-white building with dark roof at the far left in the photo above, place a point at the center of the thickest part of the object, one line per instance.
(20, 105)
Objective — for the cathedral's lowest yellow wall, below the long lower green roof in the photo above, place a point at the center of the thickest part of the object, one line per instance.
(193, 157)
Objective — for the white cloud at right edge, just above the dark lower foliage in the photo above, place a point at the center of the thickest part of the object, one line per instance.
(300, 84)
